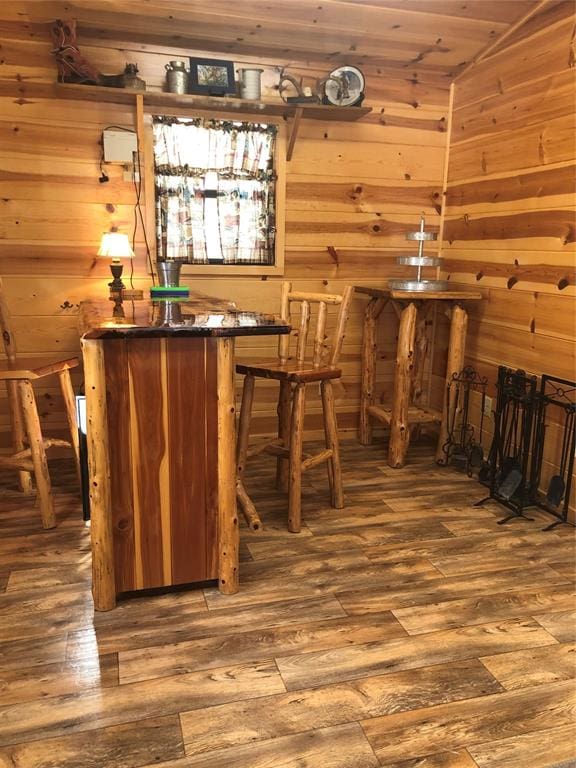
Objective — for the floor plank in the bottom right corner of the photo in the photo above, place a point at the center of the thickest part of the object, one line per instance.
(559, 746)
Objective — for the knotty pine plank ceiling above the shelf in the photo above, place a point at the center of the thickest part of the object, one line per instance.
(435, 36)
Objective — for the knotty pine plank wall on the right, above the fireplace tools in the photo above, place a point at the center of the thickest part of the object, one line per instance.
(510, 222)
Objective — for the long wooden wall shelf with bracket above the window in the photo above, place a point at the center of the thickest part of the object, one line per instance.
(293, 112)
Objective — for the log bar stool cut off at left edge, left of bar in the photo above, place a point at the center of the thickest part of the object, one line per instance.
(29, 446)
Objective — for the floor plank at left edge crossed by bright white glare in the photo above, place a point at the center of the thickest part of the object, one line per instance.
(39, 682)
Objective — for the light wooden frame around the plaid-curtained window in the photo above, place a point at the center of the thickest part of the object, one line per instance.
(220, 270)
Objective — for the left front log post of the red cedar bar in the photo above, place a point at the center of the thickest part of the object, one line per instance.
(103, 581)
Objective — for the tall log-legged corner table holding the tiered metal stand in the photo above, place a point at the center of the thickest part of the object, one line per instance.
(402, 415)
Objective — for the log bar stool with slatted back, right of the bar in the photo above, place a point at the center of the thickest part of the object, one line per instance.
(294, 374)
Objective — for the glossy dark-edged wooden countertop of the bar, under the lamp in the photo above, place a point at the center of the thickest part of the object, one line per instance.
(197, 316)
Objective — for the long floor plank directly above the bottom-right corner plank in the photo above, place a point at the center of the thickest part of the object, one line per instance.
(452, 727)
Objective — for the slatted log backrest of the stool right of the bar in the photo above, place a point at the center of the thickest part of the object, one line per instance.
(325, 350)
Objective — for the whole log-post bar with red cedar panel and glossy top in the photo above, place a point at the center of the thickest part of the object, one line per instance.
(159, 379)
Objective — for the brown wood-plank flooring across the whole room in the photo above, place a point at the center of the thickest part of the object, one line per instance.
(408, 630)
